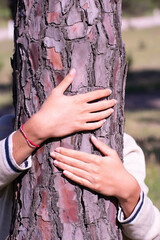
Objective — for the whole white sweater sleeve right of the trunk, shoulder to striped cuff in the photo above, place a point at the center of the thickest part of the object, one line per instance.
(144, 222)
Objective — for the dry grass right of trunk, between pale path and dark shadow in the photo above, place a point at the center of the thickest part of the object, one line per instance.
(143, 47)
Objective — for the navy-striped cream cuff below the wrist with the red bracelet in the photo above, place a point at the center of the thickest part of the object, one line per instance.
(10, 162)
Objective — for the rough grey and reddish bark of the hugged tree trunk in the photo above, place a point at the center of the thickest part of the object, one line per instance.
(50, 38)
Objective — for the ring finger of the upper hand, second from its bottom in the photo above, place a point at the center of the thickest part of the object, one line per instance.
(92, 117)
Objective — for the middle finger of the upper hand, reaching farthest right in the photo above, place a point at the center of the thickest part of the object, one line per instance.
(102, 105)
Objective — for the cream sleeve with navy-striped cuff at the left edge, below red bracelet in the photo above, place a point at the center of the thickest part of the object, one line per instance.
(9, 169)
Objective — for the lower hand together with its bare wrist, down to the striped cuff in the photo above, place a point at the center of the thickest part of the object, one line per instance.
(105, 175)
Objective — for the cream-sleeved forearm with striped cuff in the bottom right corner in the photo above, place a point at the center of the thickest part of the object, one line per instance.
(144, 222)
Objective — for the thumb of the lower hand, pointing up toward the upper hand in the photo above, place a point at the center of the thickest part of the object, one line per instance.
(102, 147)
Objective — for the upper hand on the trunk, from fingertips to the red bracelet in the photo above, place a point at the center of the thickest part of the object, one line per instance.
(61, 115)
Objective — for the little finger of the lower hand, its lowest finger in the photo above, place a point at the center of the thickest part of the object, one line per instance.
(78, 179)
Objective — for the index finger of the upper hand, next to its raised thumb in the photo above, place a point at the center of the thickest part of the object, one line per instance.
(94, 95)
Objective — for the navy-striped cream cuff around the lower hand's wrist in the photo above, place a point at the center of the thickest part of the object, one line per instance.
(134, 214)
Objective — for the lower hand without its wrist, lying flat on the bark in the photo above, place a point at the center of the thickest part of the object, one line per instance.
(92, 171)
